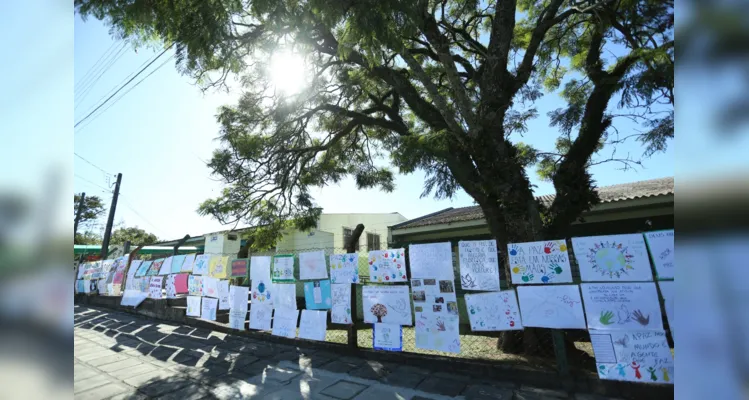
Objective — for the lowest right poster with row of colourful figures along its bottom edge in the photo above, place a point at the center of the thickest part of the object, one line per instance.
(636, 356)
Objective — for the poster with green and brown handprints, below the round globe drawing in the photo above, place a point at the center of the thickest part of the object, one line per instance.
(622, 306)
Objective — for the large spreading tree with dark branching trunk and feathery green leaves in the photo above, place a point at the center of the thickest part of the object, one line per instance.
(445, 87)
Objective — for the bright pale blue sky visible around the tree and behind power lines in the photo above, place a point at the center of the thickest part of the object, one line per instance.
(157, 135)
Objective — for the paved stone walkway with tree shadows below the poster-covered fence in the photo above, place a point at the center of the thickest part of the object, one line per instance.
(122, 356)
